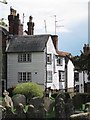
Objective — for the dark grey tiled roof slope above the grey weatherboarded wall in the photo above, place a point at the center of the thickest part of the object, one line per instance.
(28, 43)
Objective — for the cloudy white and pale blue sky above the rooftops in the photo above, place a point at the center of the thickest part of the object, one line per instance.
(71, 18)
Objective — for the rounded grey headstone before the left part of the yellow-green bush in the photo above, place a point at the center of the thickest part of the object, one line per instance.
(19, 98)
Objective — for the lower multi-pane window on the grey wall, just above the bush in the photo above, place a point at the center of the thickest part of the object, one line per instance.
(24, 77)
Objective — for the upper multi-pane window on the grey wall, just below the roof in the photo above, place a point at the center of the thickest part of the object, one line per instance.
(24, 57)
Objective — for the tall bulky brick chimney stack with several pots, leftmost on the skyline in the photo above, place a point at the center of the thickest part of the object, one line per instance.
(15, 26)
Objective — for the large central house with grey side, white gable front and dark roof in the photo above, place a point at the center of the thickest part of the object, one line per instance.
(36, 58)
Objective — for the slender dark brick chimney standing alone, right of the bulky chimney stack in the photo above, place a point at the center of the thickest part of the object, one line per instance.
(30, 26)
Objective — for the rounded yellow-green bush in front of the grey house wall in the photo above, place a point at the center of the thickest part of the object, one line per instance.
(29, 89)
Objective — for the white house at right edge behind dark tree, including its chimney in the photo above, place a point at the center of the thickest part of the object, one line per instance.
(82, 83)
